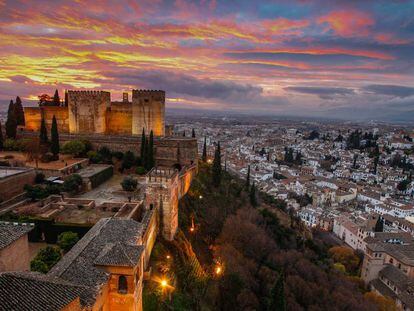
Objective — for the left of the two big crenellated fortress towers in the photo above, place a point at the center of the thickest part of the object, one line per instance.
(87, 111)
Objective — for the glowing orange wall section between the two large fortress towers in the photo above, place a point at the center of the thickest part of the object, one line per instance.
(119, 118)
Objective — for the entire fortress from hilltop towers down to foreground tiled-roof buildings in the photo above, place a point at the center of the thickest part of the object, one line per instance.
(106, 269)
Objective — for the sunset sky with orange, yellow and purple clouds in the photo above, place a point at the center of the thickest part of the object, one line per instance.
(345, 59)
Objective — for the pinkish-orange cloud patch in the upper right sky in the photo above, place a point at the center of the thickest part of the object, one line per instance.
(347, 23)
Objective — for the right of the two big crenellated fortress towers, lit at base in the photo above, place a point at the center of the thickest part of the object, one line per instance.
(148, 112)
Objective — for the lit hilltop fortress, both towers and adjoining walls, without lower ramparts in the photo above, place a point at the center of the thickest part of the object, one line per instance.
(92, 112)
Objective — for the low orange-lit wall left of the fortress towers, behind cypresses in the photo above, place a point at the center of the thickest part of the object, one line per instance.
(33, 118)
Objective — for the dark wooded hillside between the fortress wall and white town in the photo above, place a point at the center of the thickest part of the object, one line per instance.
(267, 258)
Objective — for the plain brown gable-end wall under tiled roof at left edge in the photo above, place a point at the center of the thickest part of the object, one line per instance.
(15, 257)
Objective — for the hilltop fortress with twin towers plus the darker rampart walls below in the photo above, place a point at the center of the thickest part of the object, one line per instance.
(92, 116)
